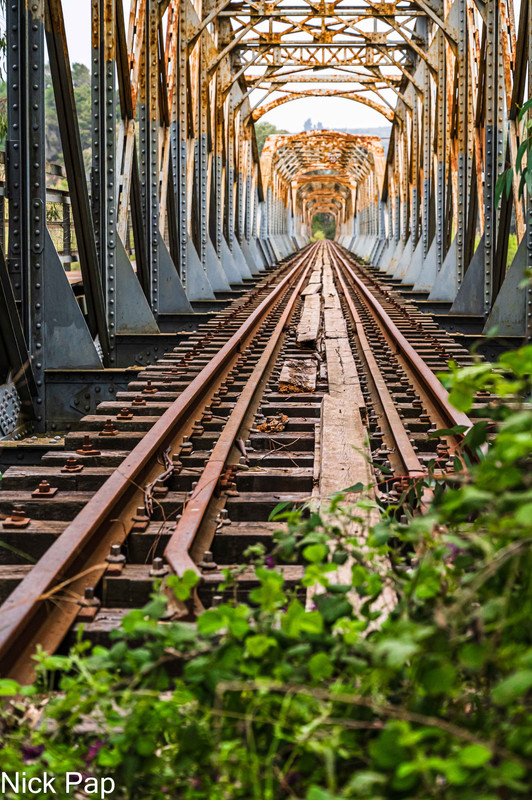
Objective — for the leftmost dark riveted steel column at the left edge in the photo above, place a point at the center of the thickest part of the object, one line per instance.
(26, 174)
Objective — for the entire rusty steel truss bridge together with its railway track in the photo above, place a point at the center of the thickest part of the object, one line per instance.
(181, 353)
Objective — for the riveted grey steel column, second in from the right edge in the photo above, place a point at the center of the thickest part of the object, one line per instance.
(493, 146)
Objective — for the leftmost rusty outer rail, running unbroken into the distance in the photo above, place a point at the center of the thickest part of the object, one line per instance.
(28, 617)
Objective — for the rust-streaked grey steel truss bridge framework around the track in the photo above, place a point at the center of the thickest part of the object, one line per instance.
(180, 213)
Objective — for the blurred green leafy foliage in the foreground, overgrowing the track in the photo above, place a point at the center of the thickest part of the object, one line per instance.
(350, 699)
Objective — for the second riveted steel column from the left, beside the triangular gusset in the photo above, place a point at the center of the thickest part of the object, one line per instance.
(104, 151)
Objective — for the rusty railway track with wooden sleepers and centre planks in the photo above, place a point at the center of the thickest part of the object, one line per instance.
(183, 470)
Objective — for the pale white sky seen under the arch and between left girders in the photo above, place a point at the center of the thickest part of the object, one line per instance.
(332, 112)
